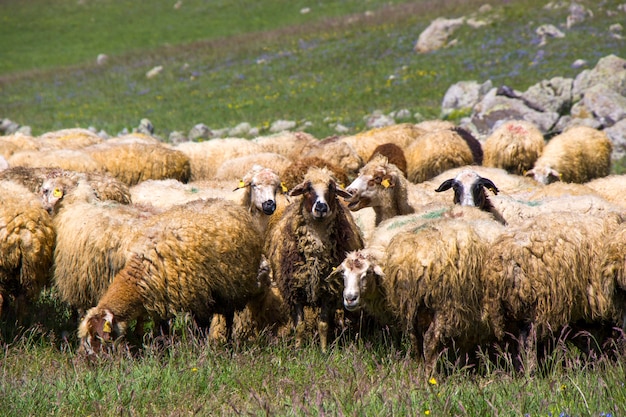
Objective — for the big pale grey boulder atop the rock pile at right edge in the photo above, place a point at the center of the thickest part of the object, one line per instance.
(610, 71)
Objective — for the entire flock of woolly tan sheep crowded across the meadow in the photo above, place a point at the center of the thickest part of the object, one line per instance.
(273, 234)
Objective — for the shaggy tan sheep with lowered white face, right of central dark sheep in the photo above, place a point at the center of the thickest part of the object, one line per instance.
(427, 280)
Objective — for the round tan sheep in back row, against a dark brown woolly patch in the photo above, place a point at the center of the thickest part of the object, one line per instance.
(436, 152)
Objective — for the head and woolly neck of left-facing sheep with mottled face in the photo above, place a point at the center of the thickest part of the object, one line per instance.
(380, 185)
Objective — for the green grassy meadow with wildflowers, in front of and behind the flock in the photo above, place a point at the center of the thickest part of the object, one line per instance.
(228, 62)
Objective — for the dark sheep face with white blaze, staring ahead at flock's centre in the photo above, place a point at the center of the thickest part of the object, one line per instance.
(319, 192)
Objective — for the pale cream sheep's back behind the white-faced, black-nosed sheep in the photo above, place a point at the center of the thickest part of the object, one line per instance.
(206, 157)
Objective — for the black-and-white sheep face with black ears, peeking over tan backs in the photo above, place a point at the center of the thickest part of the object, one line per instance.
(469, 189)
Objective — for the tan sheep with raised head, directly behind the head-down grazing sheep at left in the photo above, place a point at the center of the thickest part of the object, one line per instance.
(92, 238)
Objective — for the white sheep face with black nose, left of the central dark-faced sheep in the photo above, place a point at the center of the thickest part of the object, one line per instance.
(263, 185)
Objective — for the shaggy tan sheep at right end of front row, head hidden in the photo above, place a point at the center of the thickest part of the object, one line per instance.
(541, 276)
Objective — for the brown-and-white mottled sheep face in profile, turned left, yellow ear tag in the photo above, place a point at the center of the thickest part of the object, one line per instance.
(369, 187)
